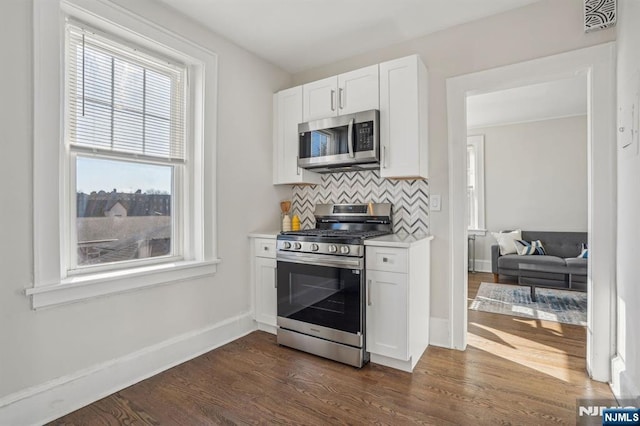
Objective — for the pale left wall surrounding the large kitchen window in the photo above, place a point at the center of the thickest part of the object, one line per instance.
(38, 346)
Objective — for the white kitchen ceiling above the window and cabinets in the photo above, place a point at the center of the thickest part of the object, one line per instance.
(301, 34)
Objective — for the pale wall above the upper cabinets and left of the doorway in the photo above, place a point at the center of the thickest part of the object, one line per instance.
(541, 29)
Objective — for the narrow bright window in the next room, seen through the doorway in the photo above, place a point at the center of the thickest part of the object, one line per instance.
(475, 182)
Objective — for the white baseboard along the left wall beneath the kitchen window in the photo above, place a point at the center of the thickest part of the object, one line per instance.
(48, 401)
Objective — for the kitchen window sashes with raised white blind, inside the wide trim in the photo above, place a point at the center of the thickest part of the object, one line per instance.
(124, 127)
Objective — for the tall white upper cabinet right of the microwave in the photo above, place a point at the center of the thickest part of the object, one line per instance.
(403, 118)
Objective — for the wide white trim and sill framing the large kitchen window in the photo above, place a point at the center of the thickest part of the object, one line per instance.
(52, 284)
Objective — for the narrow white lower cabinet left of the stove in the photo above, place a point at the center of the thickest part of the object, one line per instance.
(264, 284)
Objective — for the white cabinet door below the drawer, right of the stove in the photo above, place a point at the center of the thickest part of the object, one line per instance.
(387, 316)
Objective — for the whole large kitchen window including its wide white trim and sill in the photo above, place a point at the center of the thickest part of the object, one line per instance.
(124, 183)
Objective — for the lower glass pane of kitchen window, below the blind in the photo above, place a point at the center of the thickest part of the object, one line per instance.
(126, 223)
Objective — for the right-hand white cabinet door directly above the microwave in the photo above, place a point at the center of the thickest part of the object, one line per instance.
(358, 90)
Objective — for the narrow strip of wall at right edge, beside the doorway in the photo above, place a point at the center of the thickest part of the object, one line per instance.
(626, 377)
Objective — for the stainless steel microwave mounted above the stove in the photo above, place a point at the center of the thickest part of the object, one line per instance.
(343, 143)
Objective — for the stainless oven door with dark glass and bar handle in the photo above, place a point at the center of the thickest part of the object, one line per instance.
(322, 295)
